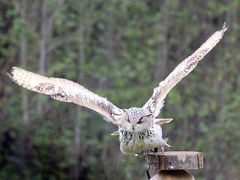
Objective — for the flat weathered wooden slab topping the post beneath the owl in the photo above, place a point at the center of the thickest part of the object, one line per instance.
(175, 160)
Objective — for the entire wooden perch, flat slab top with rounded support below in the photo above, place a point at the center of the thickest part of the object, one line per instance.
(172, 165)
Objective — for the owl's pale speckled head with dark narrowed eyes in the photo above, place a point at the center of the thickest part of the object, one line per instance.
(136, 119)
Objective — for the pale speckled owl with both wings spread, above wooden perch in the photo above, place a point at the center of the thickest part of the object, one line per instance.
(139, 128)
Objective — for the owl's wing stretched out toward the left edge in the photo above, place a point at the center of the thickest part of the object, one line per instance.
(65, 90)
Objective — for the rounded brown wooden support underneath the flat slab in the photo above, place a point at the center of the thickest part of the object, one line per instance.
(173, 175)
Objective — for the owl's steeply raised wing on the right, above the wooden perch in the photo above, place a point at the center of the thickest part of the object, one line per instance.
(155, 103)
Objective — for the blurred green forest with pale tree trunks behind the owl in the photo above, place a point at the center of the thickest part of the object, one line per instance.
(119, 49)
